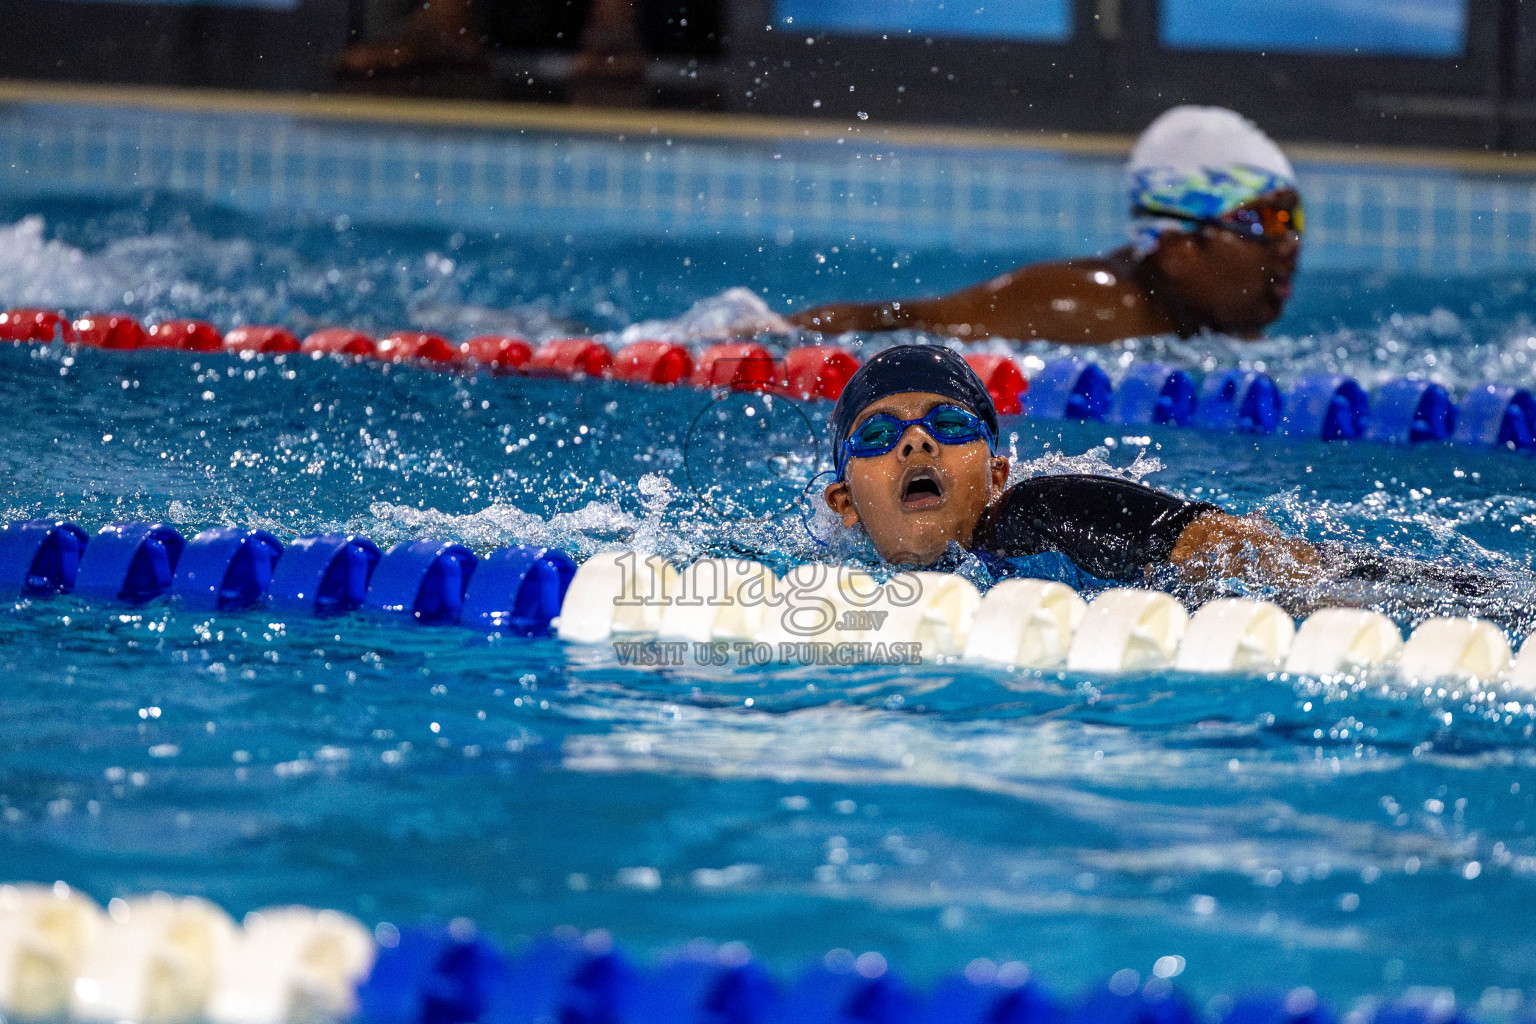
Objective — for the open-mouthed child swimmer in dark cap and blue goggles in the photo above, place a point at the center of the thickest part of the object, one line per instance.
(918, 469)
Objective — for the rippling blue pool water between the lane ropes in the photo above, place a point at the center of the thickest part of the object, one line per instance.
(1360, 837)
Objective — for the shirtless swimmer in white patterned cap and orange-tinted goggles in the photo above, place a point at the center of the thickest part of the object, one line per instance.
(1216, 236)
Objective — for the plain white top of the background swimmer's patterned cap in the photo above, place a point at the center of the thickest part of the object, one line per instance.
(1193, 139)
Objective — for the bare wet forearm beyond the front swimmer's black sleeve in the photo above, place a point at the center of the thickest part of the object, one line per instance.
(1250, 549)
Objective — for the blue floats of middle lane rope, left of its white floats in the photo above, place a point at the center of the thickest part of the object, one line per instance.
(512, 590)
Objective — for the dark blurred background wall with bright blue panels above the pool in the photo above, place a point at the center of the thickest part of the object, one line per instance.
(1420, 73)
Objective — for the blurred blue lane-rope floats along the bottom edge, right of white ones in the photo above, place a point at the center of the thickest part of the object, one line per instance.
(435, 976)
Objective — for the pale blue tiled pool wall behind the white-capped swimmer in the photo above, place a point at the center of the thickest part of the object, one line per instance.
(1422, 220)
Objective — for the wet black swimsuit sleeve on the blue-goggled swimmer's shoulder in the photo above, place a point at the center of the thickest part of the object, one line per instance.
(1108, 530)
